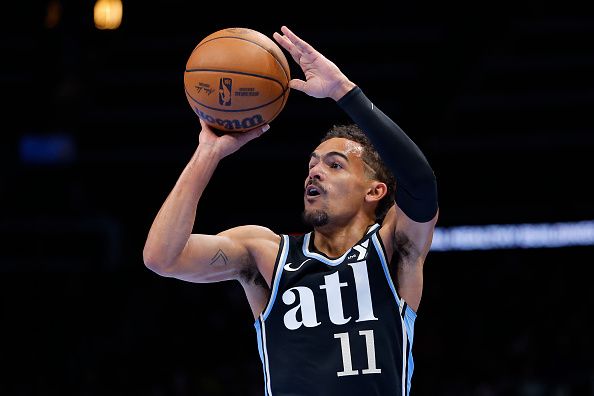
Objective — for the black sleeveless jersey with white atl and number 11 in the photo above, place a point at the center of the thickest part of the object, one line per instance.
(335, 326)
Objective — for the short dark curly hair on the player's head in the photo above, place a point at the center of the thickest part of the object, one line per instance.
(372, 158)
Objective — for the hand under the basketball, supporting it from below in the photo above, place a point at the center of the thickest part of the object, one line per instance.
(227, 143)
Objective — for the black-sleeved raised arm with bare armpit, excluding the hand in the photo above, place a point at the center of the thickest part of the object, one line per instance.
(408, 227)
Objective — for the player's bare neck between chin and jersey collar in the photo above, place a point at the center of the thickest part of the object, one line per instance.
(335, 241)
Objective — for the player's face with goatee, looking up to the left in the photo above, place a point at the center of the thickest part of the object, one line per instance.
(336, 184)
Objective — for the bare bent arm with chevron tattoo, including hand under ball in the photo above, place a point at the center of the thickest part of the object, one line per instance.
(171, 249)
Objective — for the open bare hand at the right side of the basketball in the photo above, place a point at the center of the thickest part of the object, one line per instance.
(323, 79)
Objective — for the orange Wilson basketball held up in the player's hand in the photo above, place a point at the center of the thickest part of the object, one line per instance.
(237, 79)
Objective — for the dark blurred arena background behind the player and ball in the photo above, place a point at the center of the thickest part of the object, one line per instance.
(96, 129)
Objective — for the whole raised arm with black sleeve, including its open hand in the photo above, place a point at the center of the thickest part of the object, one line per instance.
(409, 225)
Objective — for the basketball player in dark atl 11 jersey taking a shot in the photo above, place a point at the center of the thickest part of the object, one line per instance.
(335, 308)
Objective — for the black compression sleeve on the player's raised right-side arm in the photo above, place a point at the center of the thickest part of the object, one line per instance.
(416, 187)
